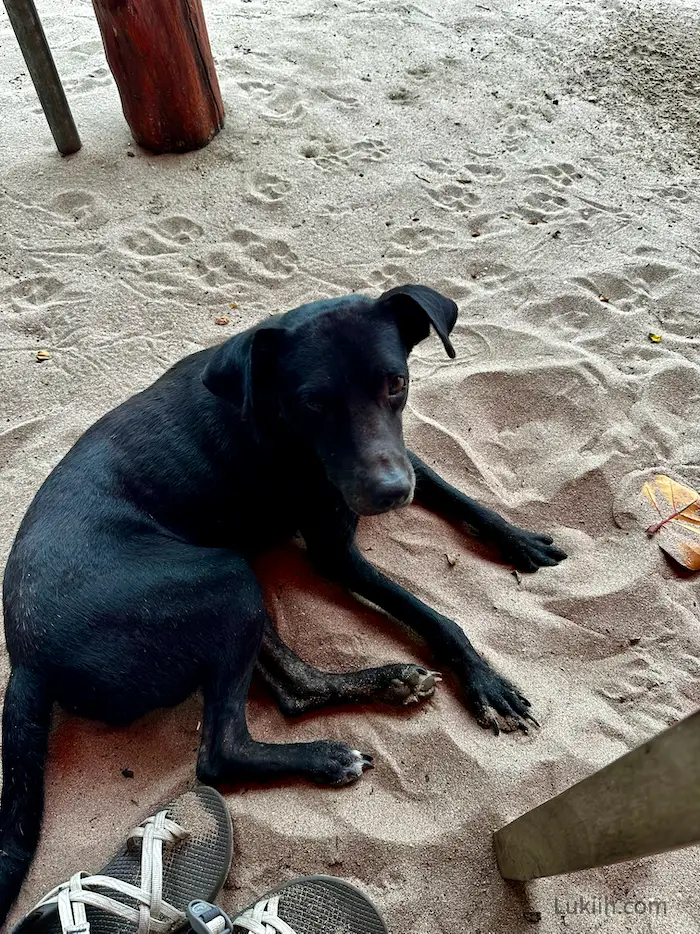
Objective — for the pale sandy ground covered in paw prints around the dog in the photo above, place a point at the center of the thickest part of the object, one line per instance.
(526, 158)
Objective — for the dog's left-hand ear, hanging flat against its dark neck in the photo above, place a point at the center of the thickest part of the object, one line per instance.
(242, 369)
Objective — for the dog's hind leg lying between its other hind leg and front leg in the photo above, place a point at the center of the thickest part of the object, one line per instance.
(299, 688)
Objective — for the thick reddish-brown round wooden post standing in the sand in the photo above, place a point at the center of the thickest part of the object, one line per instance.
(159, 54)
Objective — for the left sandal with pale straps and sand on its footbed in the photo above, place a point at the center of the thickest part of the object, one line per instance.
(181, 853)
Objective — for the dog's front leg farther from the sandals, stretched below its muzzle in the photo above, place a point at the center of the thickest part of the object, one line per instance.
(528, 551)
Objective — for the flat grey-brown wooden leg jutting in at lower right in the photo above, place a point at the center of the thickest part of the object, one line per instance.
(646, 802)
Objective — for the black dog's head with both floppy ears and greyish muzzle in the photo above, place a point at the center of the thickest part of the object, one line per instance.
(336, 373)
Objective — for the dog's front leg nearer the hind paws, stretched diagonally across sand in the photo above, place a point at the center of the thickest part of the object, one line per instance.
(495, 702)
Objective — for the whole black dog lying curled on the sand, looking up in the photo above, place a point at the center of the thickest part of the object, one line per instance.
(128, 586)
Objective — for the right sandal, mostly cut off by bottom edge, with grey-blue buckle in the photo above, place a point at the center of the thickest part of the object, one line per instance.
(310, 905)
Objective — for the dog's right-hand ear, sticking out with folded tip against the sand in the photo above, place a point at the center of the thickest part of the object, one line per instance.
(416, 307)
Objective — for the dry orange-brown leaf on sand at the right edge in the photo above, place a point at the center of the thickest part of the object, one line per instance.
(677, 526)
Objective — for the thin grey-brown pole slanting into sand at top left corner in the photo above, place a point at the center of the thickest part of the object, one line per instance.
(37, 54)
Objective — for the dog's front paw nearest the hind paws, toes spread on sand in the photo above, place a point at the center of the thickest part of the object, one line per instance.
(496, 703)
